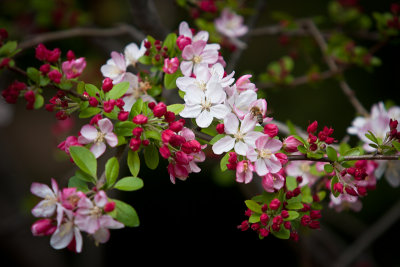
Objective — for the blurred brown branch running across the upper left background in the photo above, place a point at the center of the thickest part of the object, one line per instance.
(122, 29)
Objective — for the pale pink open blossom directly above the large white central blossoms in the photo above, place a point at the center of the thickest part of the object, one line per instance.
(197, 54)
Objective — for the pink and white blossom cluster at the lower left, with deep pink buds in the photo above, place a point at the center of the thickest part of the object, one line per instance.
(67, 212)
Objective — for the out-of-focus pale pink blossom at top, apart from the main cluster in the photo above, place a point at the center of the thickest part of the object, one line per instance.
(230, 24)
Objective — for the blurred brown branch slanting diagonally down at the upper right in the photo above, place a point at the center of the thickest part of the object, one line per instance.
(314, 31)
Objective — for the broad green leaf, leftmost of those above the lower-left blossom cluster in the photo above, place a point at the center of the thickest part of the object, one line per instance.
(84, 159)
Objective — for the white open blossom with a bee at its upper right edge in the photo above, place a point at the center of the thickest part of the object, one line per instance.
(239, 138)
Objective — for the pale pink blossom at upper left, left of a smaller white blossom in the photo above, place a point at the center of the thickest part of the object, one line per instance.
(115, 68)
